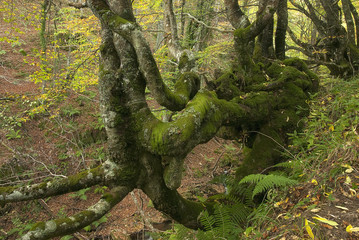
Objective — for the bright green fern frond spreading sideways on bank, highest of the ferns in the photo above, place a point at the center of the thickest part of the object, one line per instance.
(265, 182)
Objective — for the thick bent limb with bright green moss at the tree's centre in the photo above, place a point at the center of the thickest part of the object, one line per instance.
(198, 123)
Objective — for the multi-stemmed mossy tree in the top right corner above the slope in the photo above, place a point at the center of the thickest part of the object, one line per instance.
(336, 24)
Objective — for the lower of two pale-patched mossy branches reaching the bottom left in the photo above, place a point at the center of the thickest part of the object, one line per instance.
(68, 225)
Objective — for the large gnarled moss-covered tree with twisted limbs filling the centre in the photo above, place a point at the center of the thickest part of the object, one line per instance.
(261, 98)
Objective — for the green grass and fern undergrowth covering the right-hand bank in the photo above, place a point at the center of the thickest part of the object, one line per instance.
(326, 148)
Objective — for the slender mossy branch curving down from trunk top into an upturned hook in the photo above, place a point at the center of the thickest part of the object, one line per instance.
(187, 85)
